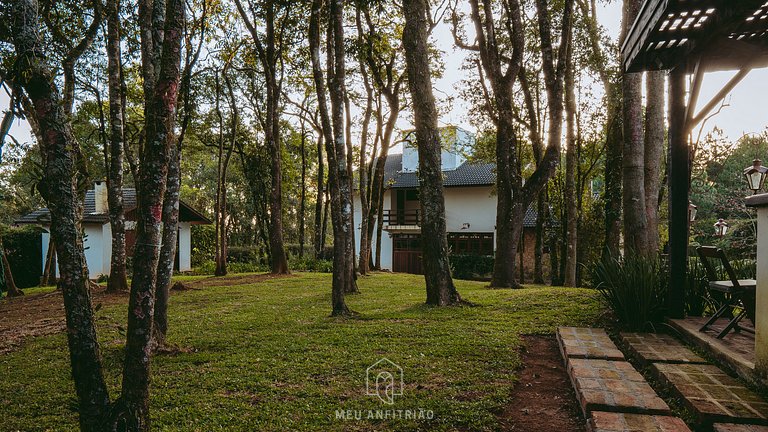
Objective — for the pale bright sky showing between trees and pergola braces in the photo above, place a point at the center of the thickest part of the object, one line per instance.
(746, 111)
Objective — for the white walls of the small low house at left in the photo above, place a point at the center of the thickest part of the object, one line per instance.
(98, 248)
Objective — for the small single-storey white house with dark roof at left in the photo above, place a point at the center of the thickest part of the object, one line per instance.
(97, 230)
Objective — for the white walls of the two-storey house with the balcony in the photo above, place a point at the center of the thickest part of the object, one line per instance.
(473, 205)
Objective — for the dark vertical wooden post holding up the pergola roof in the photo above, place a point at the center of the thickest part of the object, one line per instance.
(678, 194)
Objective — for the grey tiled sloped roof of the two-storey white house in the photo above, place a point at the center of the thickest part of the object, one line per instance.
(467, 174)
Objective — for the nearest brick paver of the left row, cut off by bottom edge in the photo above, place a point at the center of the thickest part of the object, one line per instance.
(622, 422)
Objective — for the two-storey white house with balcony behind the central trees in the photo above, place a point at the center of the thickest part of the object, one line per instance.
(470, 205)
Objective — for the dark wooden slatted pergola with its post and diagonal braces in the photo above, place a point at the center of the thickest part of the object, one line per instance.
(690, 38)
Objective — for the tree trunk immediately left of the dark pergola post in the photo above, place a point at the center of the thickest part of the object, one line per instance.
(654, 150)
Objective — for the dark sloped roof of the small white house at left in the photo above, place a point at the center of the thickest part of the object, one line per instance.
(43, 216)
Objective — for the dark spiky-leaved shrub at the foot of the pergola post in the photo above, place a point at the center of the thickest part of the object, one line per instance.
(634, 288)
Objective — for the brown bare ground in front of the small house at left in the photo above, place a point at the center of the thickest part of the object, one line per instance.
(40, 315)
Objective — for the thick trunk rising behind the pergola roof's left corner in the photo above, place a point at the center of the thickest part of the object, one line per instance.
(633, 158)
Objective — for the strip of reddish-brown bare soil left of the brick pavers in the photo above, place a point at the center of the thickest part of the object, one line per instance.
(543, 399)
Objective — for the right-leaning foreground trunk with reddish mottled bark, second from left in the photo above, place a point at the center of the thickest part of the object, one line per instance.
(132, 408)
